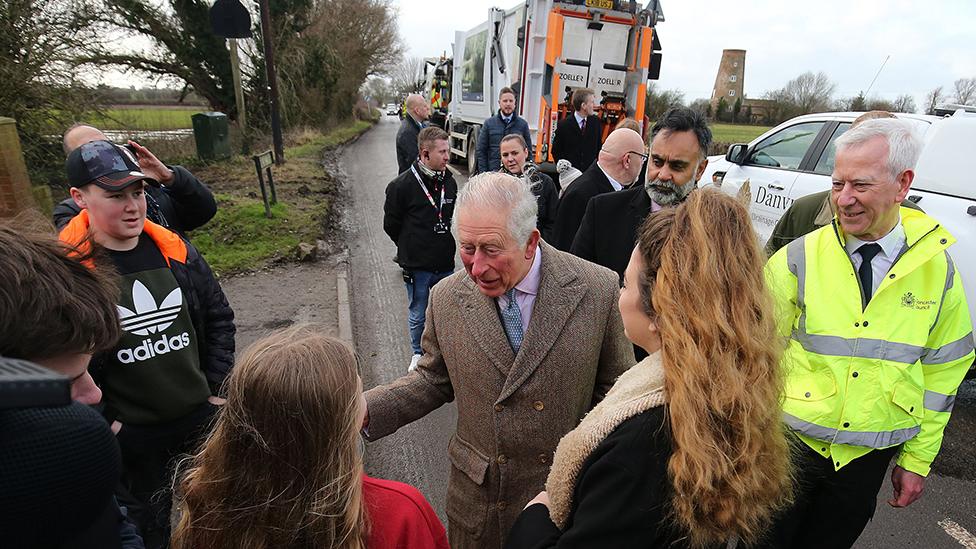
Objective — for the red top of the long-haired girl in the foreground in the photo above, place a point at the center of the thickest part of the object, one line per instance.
(400, 517)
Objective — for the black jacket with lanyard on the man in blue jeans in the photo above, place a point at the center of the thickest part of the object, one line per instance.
(409, 219)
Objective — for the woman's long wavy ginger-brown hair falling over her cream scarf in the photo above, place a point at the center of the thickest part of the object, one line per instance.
(703, 274)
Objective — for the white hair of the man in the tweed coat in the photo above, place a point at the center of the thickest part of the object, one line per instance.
(500, 192)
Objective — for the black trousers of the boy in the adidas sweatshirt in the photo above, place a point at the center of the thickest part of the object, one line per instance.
(149, 455)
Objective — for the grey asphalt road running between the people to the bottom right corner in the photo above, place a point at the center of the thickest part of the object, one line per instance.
(945, 517)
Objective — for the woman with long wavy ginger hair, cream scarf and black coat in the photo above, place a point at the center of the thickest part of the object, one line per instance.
(687, 449)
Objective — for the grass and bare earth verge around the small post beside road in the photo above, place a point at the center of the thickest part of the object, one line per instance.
(240, 238)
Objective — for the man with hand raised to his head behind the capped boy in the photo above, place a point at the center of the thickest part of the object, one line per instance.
(180, 203)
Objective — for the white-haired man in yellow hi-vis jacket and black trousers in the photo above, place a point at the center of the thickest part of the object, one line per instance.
(879, 339)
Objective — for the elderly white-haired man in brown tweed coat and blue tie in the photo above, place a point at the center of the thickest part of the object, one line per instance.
(527, 340)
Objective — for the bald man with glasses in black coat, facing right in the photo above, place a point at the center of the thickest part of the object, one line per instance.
(617, 166)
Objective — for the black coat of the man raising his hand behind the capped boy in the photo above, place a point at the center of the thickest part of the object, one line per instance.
(184, 205)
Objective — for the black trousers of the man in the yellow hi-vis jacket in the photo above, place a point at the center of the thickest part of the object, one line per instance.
(831, 507)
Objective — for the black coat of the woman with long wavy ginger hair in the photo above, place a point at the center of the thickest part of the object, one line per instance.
(621, 497)
